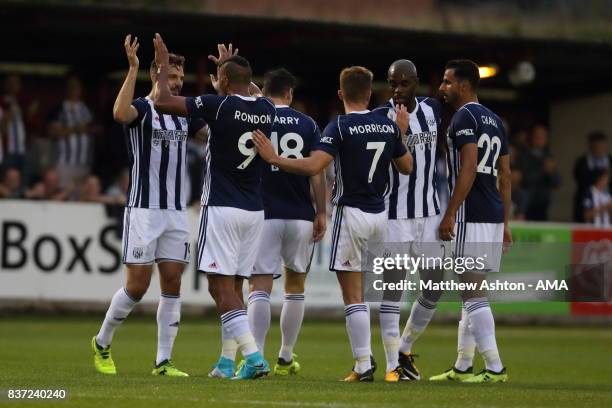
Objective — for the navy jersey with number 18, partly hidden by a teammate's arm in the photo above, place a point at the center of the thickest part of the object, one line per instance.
(287, 196)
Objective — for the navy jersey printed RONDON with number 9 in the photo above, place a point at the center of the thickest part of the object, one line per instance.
(233, 167)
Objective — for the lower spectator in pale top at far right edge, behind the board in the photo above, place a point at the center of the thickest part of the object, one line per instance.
(596, 201)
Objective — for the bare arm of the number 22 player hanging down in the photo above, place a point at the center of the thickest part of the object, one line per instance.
(467, 173)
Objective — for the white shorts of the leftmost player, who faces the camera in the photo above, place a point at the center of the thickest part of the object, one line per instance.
(154, 235)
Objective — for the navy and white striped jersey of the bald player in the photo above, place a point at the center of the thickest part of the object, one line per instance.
(416, 195)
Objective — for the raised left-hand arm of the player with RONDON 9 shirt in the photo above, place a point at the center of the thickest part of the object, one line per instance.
(166, 102)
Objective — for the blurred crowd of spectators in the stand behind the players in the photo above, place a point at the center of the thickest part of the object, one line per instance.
(62, 149)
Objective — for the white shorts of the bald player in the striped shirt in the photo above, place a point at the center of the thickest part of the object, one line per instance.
(418, 235)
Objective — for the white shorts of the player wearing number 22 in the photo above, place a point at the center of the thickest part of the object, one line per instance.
(480, 240)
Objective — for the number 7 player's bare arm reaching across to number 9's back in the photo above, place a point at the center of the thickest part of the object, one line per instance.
(308, 166)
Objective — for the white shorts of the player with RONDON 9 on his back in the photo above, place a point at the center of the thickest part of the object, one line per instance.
(229, 239)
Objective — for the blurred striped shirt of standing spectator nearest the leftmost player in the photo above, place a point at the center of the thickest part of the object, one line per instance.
(75, 148)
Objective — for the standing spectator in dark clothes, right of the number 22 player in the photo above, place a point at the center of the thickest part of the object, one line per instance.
(539, 174)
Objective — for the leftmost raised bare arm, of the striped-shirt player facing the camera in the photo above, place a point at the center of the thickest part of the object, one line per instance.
(123, 111)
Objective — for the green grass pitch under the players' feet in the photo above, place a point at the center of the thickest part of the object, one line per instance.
(548, 367)
